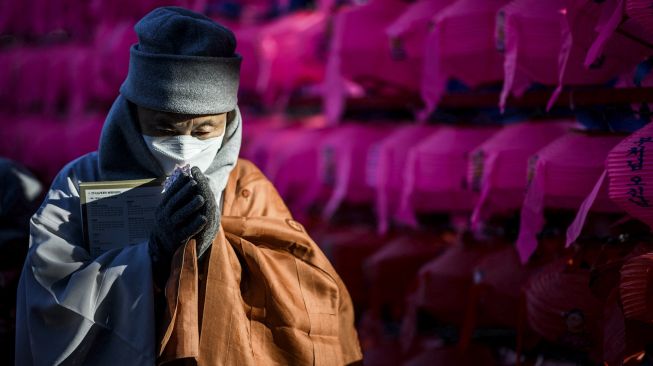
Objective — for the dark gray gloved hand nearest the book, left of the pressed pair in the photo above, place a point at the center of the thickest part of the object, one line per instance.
(177, 219)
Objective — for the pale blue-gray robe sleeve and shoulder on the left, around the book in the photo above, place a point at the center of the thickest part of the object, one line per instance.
(75, 309)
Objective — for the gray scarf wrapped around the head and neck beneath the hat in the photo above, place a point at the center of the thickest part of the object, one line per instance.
(124, 155)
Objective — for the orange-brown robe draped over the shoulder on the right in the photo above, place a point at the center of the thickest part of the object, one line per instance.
(265, 294)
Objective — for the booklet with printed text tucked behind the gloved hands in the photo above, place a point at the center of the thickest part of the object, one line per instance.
(116, 214)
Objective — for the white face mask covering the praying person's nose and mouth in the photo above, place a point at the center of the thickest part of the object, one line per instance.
(173, 151)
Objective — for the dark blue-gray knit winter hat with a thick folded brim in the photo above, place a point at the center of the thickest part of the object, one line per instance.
(184, 62)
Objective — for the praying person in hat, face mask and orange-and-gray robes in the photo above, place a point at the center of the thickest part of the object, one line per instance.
(227, 276)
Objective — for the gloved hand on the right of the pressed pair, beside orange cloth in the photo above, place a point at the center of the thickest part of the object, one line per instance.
(209, 210)
